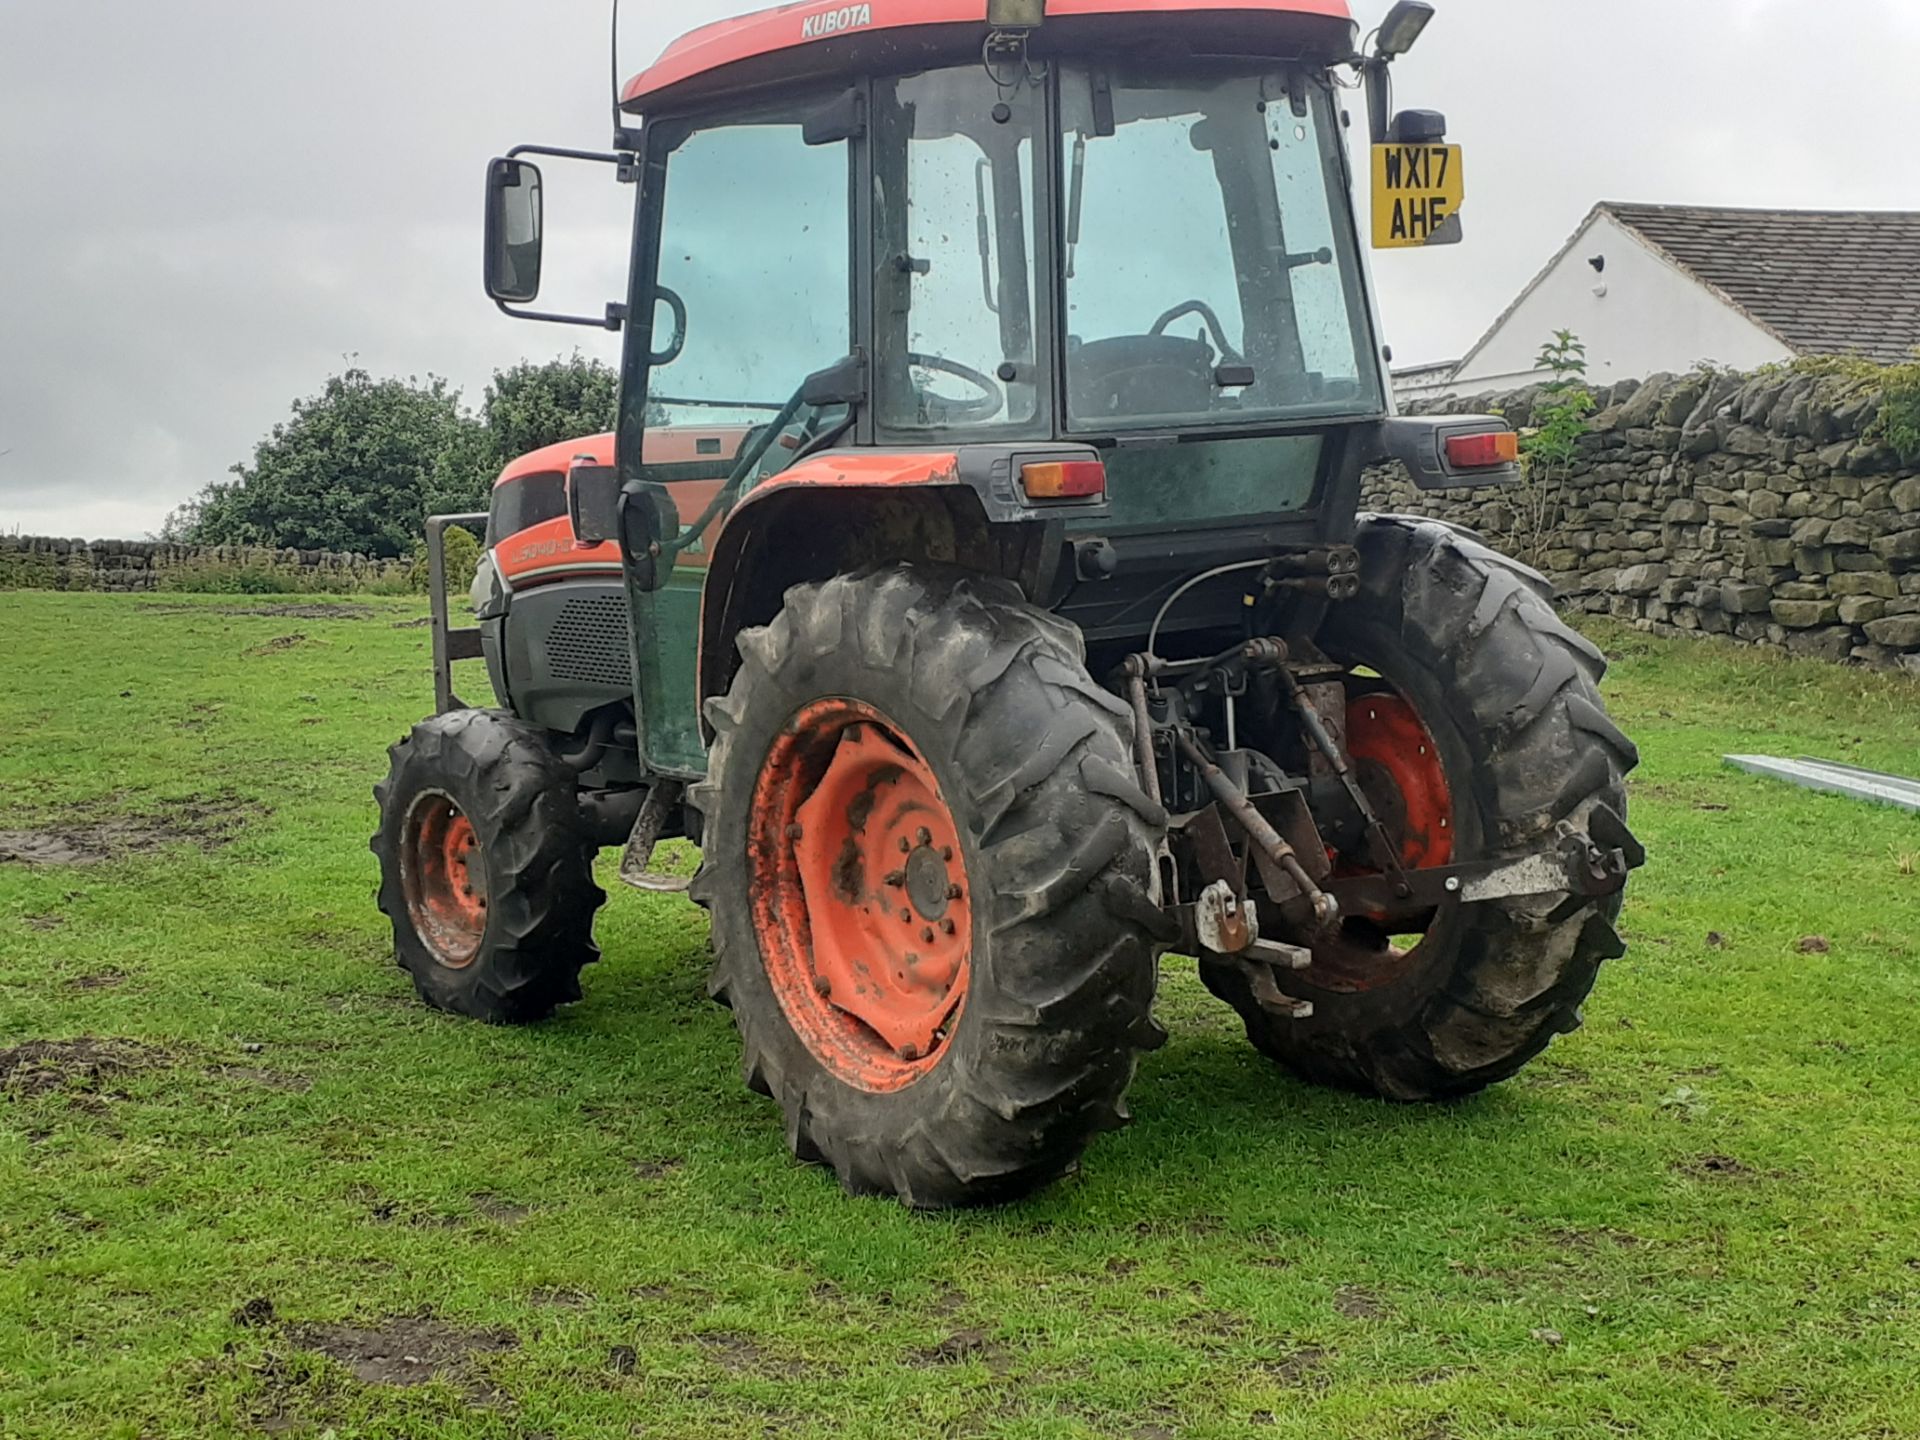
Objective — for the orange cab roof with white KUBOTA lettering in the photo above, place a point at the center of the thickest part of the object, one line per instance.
(842, 39)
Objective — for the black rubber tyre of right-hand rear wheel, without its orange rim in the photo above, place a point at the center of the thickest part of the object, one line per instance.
(1522, 690)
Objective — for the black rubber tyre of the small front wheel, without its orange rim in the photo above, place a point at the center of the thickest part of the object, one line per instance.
(540, 867)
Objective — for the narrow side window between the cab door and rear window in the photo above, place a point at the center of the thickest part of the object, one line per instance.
(957, 220)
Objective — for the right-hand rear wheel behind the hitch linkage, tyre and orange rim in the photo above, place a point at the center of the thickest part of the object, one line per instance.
(1485, 738)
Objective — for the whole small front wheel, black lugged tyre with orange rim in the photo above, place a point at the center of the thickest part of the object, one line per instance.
(485, 869)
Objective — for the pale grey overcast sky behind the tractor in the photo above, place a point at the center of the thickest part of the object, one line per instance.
(210, 206)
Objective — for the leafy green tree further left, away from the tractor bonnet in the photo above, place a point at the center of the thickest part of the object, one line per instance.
(350, 471)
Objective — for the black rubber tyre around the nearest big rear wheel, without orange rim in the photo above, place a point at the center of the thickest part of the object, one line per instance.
(1036, 761)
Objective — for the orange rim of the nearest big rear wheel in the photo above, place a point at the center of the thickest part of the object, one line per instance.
(861, 898)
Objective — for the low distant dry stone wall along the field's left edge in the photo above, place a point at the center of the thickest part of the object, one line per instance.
(137, 565)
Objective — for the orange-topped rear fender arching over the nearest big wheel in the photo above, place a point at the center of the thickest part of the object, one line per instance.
(844, 510)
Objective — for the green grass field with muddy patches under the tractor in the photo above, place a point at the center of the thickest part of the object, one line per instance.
(249, 1186)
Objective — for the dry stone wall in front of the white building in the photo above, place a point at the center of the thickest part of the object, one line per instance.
(1752, 508)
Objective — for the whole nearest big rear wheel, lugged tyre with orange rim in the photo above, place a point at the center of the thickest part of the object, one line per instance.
(928, 867)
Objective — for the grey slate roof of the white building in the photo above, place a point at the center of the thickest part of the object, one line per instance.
(1827, 283)
